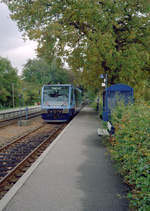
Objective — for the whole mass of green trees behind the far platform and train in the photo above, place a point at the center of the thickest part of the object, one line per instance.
(26, 89)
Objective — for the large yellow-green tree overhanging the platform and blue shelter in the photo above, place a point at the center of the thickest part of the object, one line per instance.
(94, 36)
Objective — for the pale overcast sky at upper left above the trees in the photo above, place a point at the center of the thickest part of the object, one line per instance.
(12, 46)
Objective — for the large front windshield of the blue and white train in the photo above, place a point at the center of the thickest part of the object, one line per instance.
(55, 95)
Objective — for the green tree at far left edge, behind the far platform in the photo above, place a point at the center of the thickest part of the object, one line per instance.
(9, 80)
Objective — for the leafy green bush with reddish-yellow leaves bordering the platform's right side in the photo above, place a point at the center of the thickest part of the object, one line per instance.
(130, 147)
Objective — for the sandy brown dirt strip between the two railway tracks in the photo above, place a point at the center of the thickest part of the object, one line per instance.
(9, 133)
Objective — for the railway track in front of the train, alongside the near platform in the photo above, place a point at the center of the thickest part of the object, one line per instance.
(18, 156)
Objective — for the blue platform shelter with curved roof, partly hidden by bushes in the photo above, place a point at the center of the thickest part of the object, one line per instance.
(113, 95)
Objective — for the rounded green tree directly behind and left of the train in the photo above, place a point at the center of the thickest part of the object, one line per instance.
(36, 73)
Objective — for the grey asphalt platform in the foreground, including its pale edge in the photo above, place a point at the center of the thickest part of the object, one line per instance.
(75, 173)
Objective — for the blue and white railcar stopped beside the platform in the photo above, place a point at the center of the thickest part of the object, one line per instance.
(60, 102)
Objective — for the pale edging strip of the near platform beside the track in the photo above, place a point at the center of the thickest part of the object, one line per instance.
(9, 195)
